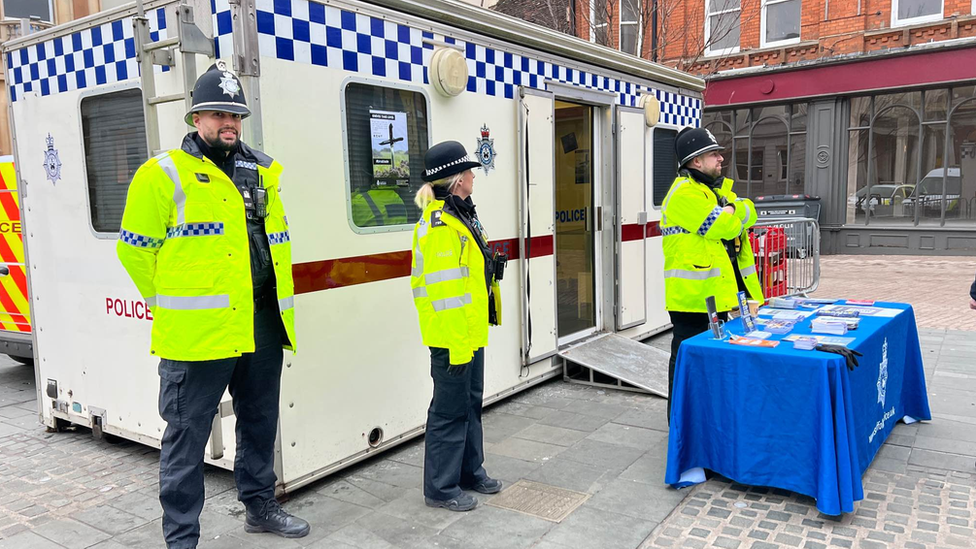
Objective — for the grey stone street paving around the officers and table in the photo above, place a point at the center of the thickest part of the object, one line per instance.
(66, 490)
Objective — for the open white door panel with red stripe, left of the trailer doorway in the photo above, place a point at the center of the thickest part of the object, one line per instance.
(537, 205)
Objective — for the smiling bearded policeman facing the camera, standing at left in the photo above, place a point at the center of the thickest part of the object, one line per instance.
(205, 240)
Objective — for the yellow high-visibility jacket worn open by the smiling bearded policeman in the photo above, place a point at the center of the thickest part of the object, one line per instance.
(185, 244)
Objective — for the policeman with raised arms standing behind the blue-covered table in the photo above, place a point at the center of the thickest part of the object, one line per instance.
(706, 248)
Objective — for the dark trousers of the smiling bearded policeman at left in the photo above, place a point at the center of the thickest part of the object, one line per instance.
(189, 393)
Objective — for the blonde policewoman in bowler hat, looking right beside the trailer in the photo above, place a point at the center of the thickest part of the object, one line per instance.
(455, 290)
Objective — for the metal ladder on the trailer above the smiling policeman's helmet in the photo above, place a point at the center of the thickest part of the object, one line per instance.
(189, 41)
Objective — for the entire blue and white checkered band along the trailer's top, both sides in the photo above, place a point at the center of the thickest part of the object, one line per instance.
(306, 31)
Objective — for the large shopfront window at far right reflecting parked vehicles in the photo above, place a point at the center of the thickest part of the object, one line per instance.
(912, 159)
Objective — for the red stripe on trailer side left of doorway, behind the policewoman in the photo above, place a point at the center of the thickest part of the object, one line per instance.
(349, 271)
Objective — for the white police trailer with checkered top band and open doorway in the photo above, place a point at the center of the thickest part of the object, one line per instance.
(576, 146)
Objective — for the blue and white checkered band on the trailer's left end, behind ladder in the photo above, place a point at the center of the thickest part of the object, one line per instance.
(84, 59)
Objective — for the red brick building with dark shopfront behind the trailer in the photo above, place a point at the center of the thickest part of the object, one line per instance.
(868, 104)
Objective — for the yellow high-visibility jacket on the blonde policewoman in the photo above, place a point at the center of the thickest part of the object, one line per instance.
(449, 286)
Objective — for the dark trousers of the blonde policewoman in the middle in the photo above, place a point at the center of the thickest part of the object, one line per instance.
(454, 446)
